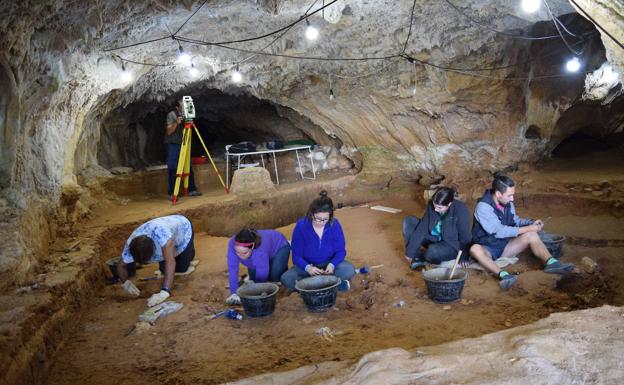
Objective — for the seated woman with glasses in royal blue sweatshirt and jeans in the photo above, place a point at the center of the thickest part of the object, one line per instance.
(318, 246)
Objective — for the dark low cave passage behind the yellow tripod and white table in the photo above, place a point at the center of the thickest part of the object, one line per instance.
(133, 137)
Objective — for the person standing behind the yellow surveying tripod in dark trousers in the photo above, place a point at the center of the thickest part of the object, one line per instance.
(173, 140)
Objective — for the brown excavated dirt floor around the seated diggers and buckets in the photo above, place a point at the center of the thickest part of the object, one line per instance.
(189, 348)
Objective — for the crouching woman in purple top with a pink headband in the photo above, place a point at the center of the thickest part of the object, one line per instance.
(265, 254)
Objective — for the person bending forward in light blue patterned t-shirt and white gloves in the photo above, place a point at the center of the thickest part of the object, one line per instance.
(167, 240)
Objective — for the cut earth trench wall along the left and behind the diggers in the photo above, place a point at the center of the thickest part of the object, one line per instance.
(46, 317)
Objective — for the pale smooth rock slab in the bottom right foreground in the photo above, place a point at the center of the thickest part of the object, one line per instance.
(581, 347)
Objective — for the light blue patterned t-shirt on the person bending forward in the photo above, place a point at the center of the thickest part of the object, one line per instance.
(161, 230)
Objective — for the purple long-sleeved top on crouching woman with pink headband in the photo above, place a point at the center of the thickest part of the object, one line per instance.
(270, 242)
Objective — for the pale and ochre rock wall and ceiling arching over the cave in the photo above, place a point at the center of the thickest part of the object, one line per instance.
(58, 84)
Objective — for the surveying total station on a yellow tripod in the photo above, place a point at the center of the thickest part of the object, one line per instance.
(184, 162)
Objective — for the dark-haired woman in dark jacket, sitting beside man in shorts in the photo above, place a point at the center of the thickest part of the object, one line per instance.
(441, 233)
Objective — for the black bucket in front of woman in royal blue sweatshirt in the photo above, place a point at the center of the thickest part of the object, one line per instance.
(318, 292)
